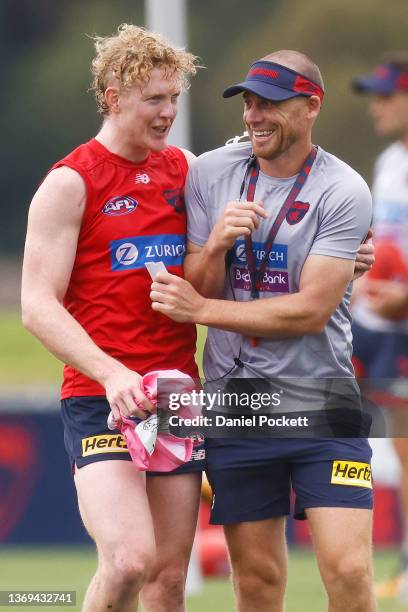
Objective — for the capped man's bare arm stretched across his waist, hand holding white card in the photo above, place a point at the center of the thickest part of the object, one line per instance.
(322, 286)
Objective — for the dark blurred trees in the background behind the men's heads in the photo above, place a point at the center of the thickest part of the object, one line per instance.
(45, 56)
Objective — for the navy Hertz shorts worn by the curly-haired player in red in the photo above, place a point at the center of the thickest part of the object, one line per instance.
(88, 439)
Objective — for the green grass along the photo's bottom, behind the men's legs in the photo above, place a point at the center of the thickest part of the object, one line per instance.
(72, 568)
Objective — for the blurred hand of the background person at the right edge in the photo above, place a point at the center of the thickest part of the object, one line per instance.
(388, 299)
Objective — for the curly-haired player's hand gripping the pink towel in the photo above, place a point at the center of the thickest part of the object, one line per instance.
(125, 396)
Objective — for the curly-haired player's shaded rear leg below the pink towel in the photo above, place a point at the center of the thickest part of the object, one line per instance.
(174, 504)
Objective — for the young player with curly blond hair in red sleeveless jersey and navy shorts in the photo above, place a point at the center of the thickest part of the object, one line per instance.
(85, 295)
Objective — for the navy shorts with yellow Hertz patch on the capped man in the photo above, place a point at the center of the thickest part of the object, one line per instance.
(252, 479)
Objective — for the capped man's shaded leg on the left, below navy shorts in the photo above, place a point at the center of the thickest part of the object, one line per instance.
(259, 564)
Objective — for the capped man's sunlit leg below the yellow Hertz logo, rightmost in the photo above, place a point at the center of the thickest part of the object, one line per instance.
(342, 539)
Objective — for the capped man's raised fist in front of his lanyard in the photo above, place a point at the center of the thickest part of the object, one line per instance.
(238, 219)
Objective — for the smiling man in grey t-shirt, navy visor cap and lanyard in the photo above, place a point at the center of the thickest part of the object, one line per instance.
(274, 228)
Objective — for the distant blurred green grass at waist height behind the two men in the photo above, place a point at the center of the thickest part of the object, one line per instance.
(24, 361)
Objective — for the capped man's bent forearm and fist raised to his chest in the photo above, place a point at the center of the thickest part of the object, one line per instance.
(204, 266)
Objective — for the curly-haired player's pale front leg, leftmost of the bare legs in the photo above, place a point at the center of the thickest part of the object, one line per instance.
(115, 511)
